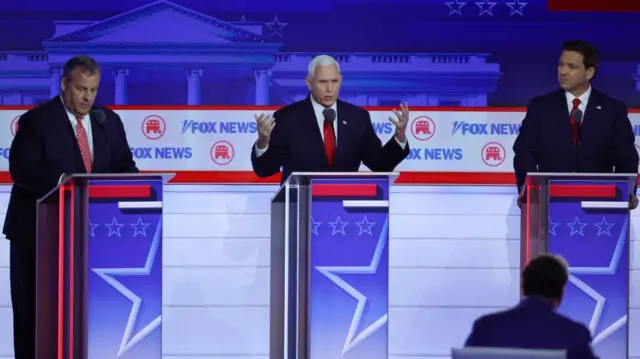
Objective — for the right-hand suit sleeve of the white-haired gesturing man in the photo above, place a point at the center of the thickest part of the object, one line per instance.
(380, 158)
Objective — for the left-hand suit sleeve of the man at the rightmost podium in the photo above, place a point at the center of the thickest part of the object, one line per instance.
(525, 147)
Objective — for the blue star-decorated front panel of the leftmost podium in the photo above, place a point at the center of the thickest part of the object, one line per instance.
(124, 297)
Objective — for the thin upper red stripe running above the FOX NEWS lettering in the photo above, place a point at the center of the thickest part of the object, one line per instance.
(273, 108)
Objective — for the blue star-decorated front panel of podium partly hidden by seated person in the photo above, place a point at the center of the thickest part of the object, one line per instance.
(589, 227)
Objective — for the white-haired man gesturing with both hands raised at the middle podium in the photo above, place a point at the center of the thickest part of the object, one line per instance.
(324, 134)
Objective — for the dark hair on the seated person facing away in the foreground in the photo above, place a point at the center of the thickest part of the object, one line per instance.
(545, 276)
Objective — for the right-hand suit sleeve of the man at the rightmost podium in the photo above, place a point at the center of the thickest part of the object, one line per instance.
(624, 149)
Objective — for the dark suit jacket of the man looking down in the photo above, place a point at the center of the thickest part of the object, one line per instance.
(45, 147)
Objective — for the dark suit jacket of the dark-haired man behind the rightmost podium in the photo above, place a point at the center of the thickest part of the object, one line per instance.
(545, 142)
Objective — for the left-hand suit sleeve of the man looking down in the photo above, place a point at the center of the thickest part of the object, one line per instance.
(26, 157)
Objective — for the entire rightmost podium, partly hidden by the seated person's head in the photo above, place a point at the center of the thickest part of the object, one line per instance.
(585, 218)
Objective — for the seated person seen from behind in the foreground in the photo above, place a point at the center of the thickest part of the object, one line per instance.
(534, 323)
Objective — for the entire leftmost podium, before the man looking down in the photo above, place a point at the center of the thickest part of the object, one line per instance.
(99, 267)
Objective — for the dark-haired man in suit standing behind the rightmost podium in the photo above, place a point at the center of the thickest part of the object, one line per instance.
(575, 128)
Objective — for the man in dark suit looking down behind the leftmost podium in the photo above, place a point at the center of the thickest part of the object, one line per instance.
(59, 138)
